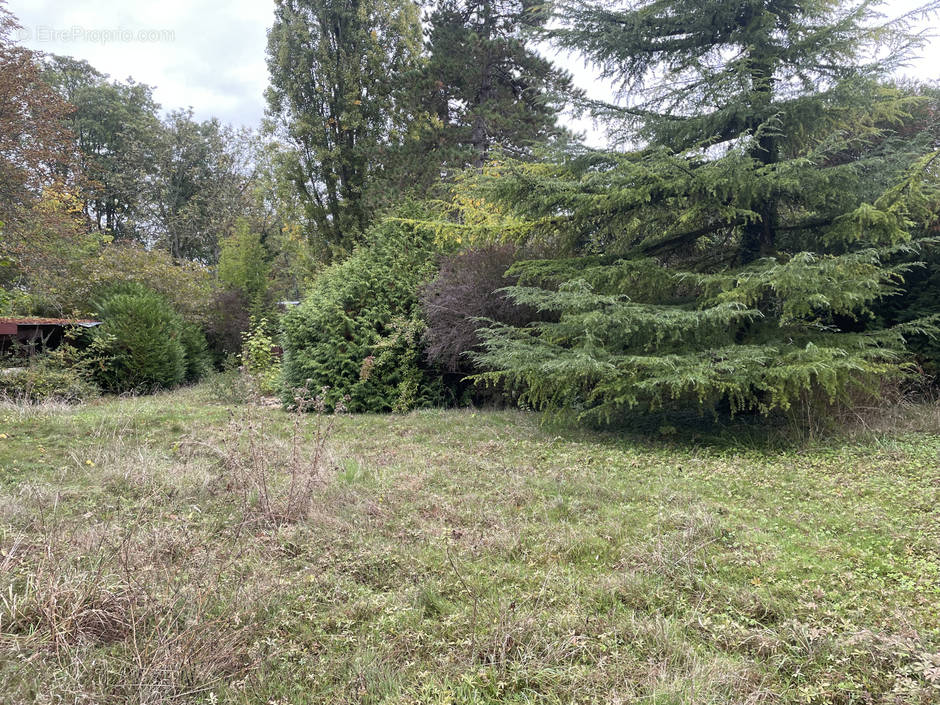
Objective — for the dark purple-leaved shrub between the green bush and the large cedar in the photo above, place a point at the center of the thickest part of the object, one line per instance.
(465, 290)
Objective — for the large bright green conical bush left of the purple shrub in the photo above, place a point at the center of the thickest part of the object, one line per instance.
(357, 331)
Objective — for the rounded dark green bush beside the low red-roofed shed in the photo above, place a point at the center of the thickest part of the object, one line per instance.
(143, 342)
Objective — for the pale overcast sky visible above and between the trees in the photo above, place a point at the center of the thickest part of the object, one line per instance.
(210, 54)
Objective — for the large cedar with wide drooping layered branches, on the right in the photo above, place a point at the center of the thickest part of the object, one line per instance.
(737, 255)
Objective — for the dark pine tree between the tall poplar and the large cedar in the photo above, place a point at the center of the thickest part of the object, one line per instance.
(490, 87)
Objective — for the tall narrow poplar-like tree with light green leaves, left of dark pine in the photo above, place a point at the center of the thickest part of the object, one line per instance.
(336, 70)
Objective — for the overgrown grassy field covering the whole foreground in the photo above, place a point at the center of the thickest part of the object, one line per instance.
(169, 549)
